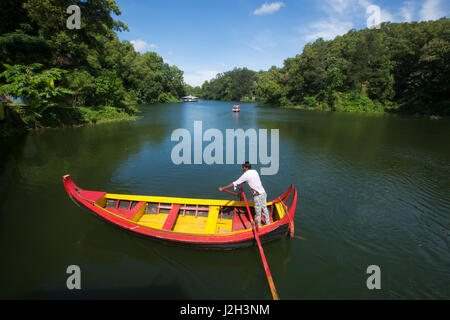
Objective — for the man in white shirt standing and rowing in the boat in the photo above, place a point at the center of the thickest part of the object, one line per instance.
(259, 194)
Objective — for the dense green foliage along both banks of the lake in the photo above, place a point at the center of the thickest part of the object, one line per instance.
(398, 67)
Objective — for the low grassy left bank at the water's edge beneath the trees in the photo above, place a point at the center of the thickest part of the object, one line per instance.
(19, 121)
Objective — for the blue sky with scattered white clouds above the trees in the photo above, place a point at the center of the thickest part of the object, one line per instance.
(206, 37)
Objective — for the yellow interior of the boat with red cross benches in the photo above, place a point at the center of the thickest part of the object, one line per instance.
(188, 216)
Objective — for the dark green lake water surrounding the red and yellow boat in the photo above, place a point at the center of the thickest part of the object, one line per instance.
(373, 190)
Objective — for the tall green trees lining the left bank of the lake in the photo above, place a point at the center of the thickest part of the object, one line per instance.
(47, 64)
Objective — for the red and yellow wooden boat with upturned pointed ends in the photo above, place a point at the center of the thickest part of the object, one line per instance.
(203, 223)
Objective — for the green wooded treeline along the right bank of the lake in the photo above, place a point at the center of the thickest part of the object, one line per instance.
(398, 67)
